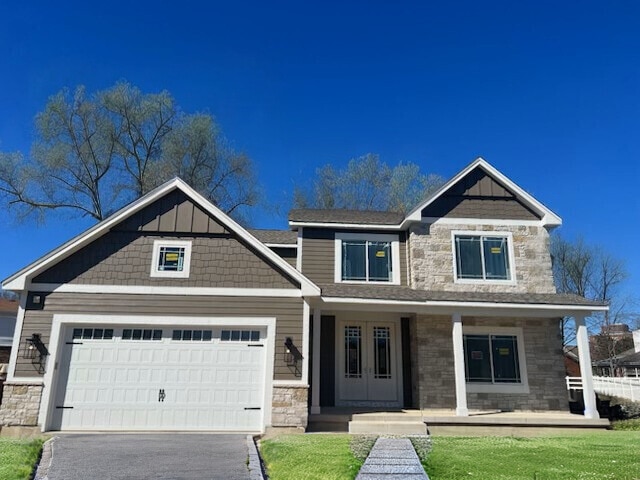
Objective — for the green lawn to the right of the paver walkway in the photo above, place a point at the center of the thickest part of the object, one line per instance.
(601, 455)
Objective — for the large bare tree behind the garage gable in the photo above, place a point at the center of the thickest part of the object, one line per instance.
(92, 154)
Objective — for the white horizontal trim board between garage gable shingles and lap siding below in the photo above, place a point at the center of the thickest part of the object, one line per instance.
(153, 290)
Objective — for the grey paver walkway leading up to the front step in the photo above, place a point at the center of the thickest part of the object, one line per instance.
(392, 459)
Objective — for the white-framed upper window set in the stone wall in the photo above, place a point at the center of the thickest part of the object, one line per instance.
(483, 257)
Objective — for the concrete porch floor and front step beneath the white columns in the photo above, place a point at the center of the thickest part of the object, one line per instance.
(445, 422)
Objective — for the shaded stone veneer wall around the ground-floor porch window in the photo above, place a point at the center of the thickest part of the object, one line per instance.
(543, 351)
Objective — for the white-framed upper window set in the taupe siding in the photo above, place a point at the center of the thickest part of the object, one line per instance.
(367, 258)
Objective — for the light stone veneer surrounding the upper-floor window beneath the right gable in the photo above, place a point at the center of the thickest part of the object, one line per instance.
(431, 259)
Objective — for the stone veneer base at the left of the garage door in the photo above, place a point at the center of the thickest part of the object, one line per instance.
(20, 404)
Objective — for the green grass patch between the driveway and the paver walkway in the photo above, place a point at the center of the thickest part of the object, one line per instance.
(312, 457)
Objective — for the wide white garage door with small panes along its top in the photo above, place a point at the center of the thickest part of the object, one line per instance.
(160, 378)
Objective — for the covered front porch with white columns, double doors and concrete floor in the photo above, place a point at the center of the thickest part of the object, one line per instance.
(461, 370)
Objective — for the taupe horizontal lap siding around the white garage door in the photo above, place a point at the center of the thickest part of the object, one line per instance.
(287, 311)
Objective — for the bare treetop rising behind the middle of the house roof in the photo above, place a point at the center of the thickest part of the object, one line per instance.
(367, 183)
